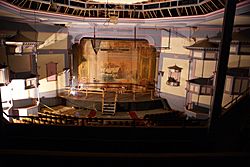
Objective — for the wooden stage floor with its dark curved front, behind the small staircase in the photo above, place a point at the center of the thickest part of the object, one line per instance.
(124, 103)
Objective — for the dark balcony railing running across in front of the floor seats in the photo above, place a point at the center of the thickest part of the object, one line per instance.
(68, 120)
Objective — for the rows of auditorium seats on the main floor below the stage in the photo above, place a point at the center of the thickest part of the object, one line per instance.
(149, 120)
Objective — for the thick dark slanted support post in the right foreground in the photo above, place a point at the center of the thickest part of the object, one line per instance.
(224, 52)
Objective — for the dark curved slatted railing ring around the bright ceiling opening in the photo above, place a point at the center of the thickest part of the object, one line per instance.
(171, 8)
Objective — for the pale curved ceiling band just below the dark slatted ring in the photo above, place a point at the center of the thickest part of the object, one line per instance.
(13, 13)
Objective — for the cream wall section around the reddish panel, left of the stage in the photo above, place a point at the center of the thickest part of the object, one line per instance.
(53, 50)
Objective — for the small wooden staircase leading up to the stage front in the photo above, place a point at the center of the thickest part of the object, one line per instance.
(109, 107)
